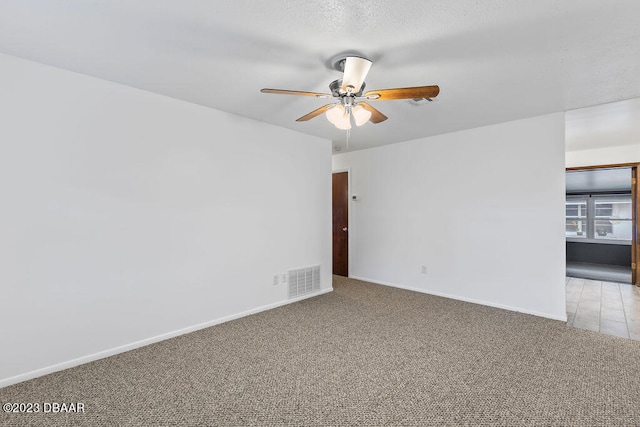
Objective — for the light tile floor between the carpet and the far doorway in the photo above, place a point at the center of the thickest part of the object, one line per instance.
(605, 307)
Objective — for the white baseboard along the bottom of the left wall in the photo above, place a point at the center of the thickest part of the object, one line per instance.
(147, 341)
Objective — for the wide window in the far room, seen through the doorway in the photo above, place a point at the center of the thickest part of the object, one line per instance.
(601, 218)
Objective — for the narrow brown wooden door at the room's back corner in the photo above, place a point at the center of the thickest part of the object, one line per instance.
(341, 223)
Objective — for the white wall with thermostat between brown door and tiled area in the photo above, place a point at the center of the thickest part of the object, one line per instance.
(482, 209)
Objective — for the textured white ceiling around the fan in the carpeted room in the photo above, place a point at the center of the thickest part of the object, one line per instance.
(494, 61)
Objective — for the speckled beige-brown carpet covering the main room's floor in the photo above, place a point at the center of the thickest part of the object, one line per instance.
(364, 355)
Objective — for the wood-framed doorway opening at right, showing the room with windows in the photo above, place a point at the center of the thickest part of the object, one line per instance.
(601, 223)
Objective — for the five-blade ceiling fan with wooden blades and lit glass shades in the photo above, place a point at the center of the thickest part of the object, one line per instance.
(348, 90)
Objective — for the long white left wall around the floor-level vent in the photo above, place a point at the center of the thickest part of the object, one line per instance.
(128, 217)
